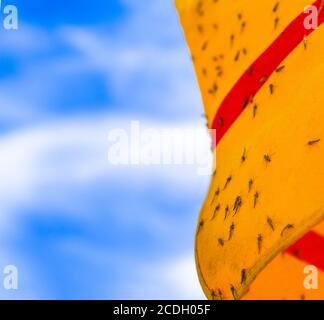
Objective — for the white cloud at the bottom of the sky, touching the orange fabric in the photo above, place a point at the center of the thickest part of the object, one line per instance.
(137, 277)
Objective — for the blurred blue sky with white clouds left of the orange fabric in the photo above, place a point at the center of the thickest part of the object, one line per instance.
(75, 226)
